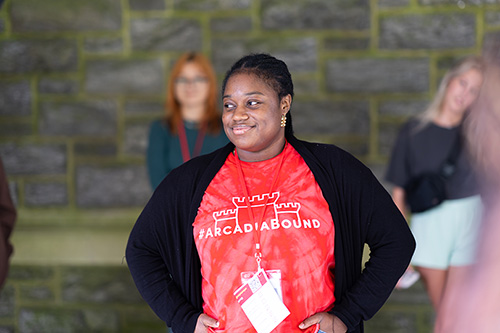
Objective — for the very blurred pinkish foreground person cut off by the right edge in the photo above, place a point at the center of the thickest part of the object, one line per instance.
(473, 306)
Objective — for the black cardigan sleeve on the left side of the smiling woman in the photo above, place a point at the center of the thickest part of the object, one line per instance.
(153, 258)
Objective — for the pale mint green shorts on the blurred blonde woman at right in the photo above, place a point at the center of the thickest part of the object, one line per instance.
(447, 234)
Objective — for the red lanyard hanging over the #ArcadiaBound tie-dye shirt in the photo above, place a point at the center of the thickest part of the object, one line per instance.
(258, 250)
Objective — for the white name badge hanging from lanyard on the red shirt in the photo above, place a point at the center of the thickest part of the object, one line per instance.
(260, 301)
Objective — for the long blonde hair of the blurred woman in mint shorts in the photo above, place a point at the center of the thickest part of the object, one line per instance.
(434, 108)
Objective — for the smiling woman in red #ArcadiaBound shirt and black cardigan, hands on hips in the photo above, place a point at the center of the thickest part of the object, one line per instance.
(267, 208)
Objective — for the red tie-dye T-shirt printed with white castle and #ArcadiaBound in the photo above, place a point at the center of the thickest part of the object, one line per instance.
(297, 237)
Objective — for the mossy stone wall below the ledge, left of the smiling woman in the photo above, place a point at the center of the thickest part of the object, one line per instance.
(74, 299)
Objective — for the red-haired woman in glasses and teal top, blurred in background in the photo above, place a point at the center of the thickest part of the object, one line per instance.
(192, 125)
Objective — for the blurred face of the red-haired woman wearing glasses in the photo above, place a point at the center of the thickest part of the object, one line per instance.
(191, 86)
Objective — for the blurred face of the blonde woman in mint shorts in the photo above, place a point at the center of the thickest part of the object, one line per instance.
(462, 91)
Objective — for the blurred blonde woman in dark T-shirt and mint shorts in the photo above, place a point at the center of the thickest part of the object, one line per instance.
(446, 234)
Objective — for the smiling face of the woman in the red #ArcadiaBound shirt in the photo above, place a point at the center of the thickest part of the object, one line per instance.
(252, 117)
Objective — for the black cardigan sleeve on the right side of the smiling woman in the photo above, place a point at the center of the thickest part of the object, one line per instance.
(370, 217)
